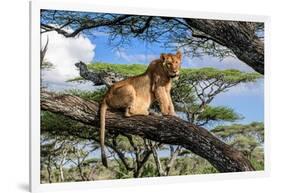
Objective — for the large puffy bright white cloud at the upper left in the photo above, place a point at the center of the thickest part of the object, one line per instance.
(63, 53)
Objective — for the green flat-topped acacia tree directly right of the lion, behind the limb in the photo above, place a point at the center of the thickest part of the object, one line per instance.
(196, 89)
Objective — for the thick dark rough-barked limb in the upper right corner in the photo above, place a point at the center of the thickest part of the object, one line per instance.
(239, 37)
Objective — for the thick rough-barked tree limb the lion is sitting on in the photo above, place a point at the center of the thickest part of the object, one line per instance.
(167, 129)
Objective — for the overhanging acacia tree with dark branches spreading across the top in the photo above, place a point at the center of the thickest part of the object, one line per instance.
(213, 37)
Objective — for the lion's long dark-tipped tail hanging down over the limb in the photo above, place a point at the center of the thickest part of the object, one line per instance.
(103, 109)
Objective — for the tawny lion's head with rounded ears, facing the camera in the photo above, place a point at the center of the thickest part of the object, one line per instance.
(172, 64)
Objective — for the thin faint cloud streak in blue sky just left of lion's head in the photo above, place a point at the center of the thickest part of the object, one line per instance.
(135, 58)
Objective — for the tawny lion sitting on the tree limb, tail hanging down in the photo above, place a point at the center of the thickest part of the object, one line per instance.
(136, 94)
